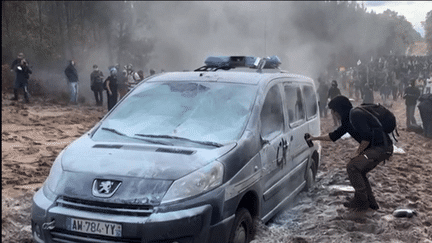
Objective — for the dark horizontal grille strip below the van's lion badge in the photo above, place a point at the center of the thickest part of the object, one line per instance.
(105, 207)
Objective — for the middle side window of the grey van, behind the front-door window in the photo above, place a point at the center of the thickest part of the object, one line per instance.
(294, 103)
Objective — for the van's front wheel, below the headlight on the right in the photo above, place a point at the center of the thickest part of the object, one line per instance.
(243, 227)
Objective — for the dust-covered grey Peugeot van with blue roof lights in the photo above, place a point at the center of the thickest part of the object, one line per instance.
(186, 157)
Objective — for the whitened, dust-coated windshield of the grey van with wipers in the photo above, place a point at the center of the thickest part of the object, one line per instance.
(207, 112)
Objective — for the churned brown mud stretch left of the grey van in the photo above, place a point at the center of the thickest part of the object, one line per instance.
(32, 137)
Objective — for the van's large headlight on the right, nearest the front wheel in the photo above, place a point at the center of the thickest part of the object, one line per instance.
(200, 181)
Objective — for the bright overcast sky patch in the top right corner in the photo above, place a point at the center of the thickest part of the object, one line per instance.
(414, 11)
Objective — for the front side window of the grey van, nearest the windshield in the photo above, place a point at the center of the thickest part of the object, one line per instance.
(272, 113)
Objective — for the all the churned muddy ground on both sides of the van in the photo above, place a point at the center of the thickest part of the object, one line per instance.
(33, 134)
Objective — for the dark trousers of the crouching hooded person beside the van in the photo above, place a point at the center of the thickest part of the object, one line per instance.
(359, 166)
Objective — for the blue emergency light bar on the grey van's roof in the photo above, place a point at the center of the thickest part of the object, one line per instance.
(214, 63)
